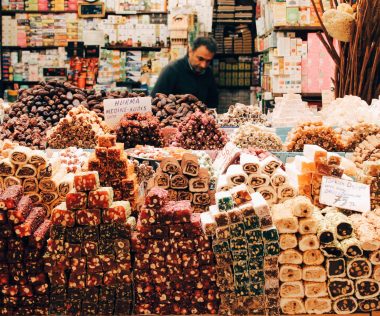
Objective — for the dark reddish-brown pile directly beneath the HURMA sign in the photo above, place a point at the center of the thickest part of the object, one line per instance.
(139, 129)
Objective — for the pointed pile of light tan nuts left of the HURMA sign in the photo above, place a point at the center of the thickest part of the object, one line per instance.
(79, 128)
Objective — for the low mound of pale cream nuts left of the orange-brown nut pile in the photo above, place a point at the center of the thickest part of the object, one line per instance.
(251, 135)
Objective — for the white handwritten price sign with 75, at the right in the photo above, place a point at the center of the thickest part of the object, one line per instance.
(345, 194)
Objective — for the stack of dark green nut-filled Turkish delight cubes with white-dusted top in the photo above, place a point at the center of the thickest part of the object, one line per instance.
(246, 247)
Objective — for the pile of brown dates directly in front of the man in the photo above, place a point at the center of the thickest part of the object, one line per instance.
(172, 109)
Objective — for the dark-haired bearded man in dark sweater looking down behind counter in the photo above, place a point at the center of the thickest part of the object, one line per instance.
(191, 74)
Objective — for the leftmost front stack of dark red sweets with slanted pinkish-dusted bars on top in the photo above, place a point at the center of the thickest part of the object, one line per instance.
(23, 233)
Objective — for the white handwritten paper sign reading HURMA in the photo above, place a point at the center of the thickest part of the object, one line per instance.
(114, 109)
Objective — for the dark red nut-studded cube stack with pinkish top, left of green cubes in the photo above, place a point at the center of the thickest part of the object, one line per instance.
(174, 263)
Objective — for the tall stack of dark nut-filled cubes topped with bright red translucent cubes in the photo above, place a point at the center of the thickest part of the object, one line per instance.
(88, 258)
